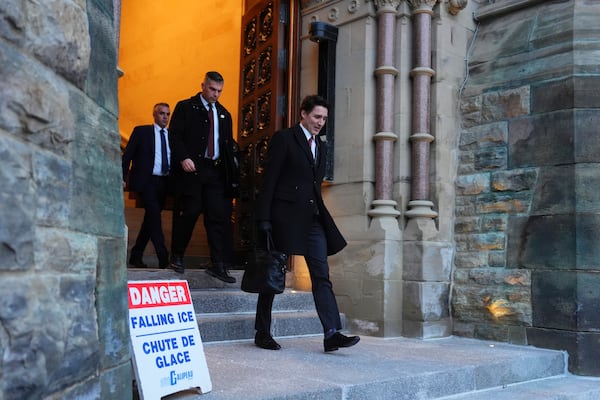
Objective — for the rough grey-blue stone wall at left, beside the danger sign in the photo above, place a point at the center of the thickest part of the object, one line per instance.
(63, 326)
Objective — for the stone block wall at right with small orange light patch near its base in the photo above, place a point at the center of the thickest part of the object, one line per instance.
(527, 208)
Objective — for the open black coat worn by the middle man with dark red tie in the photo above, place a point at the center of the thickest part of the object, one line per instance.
(188, 135)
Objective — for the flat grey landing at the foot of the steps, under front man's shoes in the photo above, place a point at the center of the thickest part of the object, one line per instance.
(394, 369)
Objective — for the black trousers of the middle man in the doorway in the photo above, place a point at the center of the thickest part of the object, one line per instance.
(216, 206)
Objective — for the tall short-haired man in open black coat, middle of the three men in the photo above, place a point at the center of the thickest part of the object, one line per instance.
(205, 170)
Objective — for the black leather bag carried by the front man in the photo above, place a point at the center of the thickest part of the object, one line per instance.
(266, 274)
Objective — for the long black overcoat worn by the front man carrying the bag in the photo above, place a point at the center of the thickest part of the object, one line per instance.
(291, 191)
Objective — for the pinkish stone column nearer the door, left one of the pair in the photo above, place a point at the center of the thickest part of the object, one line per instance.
(385, 73)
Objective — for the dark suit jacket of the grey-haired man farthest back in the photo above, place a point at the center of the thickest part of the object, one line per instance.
(140, 152)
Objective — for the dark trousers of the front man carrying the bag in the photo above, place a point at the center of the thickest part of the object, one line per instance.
(322, 289)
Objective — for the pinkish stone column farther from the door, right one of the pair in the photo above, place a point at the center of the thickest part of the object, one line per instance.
(420, 205)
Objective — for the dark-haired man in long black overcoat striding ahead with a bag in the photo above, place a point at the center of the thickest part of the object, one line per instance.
(291, 209)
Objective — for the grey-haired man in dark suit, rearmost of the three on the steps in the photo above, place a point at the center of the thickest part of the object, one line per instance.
(148, 151)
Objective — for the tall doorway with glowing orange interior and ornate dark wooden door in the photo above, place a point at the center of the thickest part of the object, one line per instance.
(164, 53)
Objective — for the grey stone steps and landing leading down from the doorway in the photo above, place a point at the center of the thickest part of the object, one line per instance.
(379, 369)
